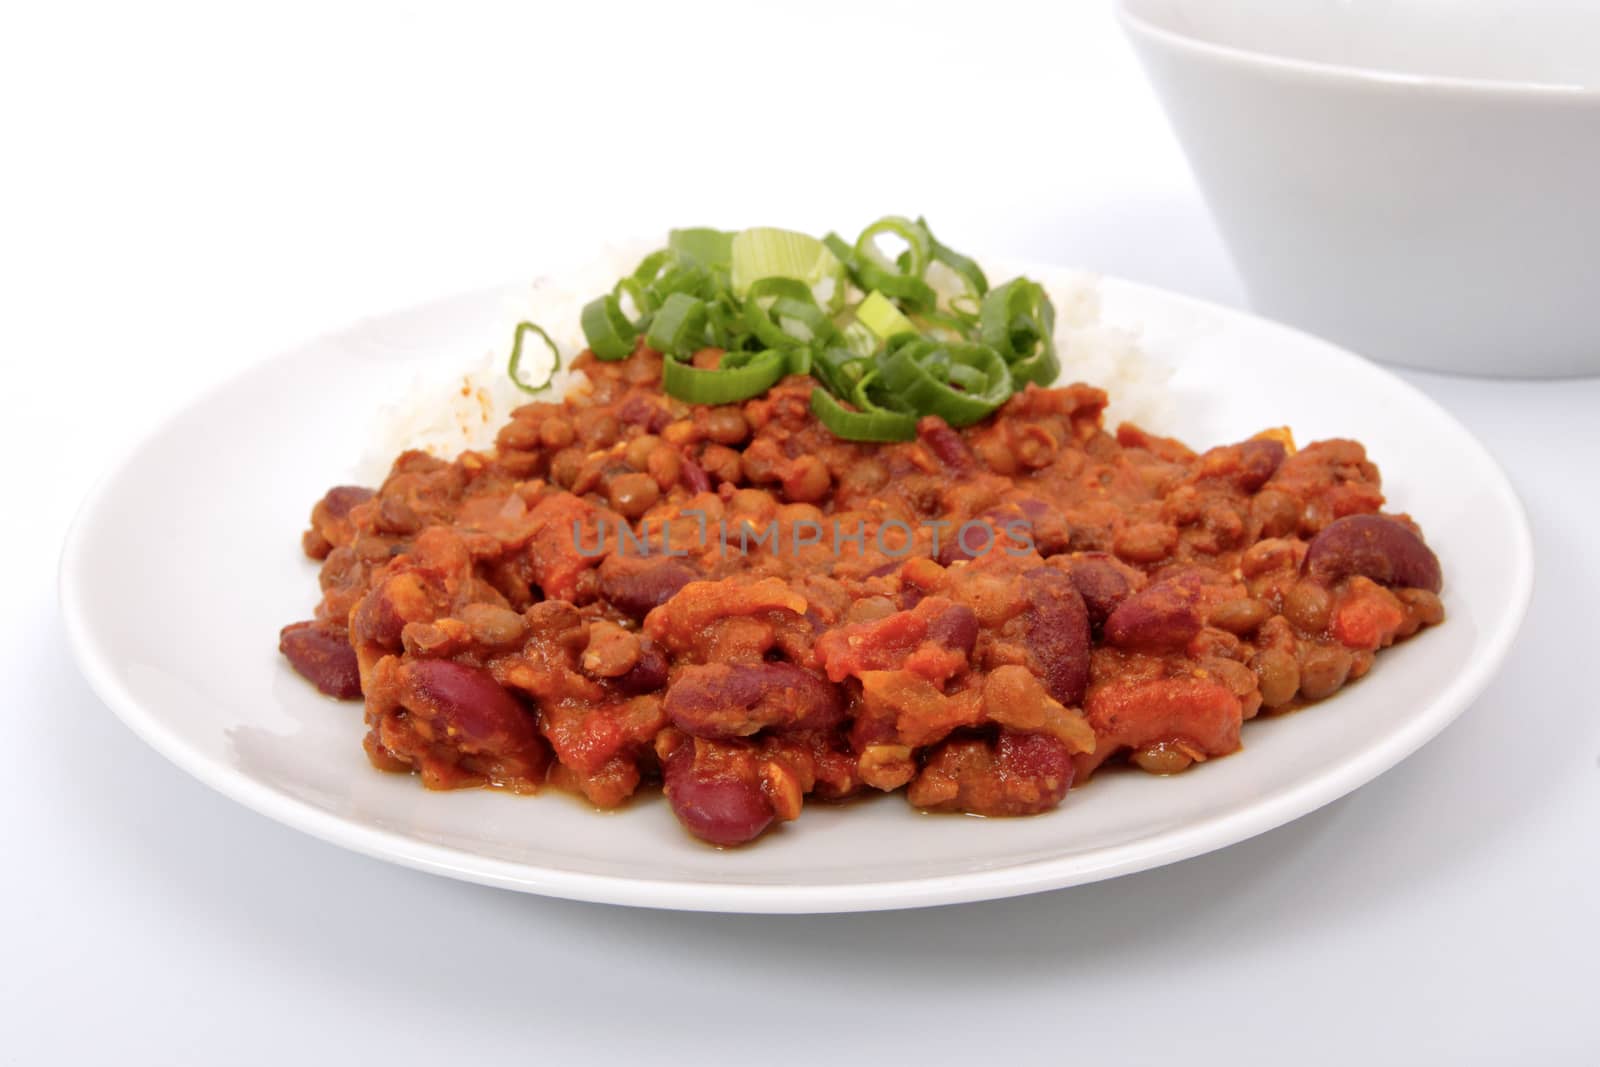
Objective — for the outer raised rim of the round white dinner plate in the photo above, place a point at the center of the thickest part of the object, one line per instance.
(1058, 873)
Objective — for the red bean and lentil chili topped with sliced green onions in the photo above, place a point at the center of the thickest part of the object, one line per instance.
(812, 519)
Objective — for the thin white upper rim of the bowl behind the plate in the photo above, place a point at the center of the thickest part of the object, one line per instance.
(1137, 26)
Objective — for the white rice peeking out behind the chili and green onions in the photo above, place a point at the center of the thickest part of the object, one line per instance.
(449, 412)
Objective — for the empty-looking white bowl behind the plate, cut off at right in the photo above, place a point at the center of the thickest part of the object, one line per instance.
(1412, 178)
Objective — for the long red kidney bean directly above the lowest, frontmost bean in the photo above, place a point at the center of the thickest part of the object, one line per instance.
(740, 700)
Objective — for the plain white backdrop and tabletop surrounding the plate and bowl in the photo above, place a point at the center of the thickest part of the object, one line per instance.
(190, 188)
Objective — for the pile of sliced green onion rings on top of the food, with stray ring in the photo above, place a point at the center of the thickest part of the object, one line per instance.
(866, 322)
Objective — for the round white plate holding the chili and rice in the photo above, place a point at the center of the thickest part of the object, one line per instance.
(186, 561)
